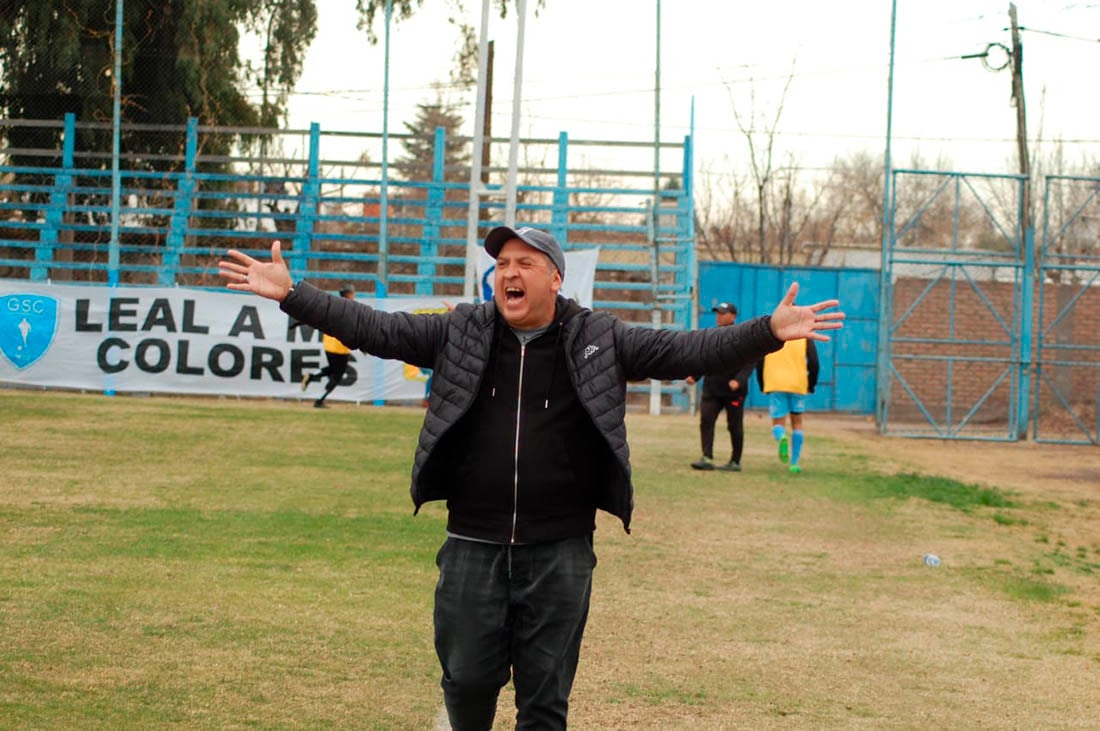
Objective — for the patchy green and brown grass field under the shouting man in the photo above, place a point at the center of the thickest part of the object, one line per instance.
(229, 564)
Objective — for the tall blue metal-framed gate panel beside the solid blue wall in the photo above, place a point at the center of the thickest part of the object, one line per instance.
(955, 349)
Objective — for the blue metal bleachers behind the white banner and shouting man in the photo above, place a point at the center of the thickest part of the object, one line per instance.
(321, 193)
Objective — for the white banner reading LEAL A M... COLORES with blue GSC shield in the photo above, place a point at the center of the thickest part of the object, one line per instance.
(183, 341)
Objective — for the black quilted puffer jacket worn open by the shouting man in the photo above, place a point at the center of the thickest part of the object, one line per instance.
(602, 355)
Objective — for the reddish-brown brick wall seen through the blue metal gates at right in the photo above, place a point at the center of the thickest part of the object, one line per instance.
(953, 348)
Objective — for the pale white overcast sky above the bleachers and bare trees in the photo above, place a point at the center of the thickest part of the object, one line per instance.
(589, 71)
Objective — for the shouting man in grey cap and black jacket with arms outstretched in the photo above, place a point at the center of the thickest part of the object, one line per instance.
(525, 438)
